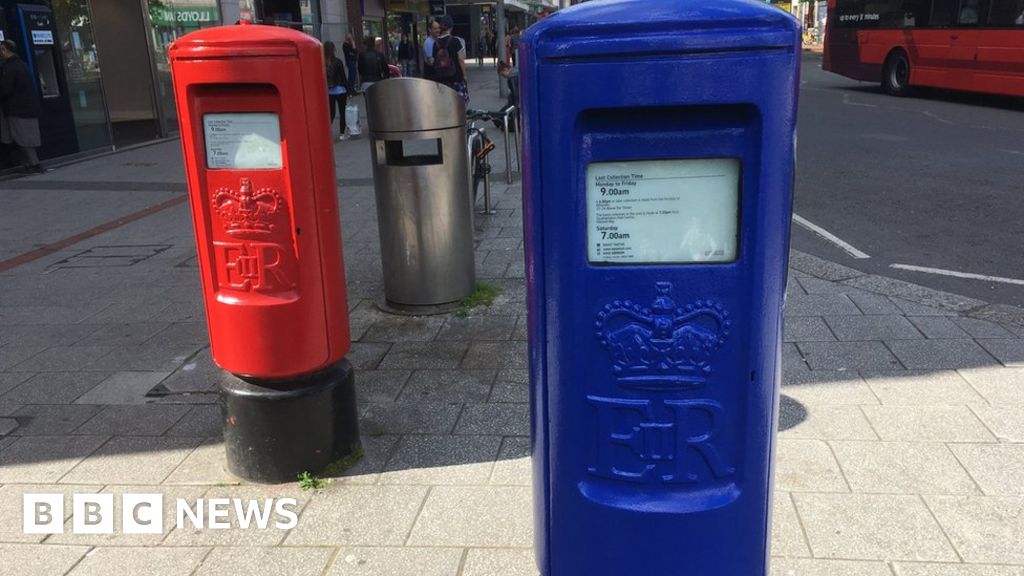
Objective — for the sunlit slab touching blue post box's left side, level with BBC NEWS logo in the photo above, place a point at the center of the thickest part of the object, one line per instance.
(470, 516)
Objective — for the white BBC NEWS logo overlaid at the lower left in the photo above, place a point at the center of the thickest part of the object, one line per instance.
(144, 514)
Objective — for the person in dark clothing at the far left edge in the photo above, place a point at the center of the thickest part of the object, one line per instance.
(20, 121)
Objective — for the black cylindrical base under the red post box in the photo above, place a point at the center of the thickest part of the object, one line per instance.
(276, 431)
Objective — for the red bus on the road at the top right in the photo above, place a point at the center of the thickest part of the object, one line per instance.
(974, 46)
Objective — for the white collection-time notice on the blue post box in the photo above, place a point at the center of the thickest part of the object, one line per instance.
(663, 212)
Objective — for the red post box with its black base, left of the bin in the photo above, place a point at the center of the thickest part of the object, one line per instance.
(255, 133)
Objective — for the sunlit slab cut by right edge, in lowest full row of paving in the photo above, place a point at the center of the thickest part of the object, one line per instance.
(985, 529)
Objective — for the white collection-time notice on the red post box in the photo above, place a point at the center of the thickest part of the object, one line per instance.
(242, 141)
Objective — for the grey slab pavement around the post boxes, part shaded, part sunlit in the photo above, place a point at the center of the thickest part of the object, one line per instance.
(901, 450)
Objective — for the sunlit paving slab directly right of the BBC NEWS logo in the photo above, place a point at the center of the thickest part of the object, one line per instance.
(350, 515)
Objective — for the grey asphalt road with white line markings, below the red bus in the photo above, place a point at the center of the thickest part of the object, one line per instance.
(934, 181)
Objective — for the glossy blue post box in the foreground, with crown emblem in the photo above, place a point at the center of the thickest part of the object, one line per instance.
(658, 198)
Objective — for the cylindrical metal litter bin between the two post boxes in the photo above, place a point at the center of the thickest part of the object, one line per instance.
(421, 180)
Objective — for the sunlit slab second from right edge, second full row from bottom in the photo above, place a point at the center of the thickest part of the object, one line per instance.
(903, 468)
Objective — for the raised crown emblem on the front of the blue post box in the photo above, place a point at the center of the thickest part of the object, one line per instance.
(663, 347)
